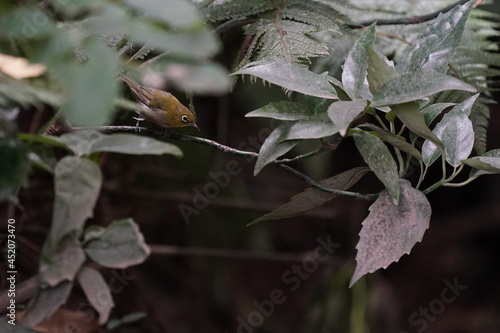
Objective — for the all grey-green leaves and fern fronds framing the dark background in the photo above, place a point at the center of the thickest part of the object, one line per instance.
(443, 74)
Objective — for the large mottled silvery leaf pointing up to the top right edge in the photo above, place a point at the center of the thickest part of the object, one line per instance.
(436, 46)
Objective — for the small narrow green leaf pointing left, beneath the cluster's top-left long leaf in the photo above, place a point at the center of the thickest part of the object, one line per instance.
(283, 110)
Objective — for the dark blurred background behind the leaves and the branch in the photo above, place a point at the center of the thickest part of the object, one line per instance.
(211, 273)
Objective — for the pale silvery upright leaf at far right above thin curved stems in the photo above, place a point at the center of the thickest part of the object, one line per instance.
(456, 132)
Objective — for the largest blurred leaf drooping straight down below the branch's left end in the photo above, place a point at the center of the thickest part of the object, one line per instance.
(77, 185)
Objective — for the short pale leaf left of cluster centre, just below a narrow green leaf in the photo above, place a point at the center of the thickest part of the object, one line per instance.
(314, 127)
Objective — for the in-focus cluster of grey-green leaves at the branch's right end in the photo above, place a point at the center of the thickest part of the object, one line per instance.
(371, 85)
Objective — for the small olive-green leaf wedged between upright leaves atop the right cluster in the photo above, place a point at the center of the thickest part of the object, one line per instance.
(380, 70)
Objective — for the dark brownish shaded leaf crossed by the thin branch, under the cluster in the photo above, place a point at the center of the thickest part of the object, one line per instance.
(312, 197)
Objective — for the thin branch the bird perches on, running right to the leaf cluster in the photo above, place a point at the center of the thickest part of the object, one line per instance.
(232, 151)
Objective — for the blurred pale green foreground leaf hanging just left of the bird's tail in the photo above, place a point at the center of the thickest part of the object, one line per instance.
(92, 86)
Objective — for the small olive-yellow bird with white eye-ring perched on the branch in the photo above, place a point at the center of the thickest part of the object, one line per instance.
(160, 107)
